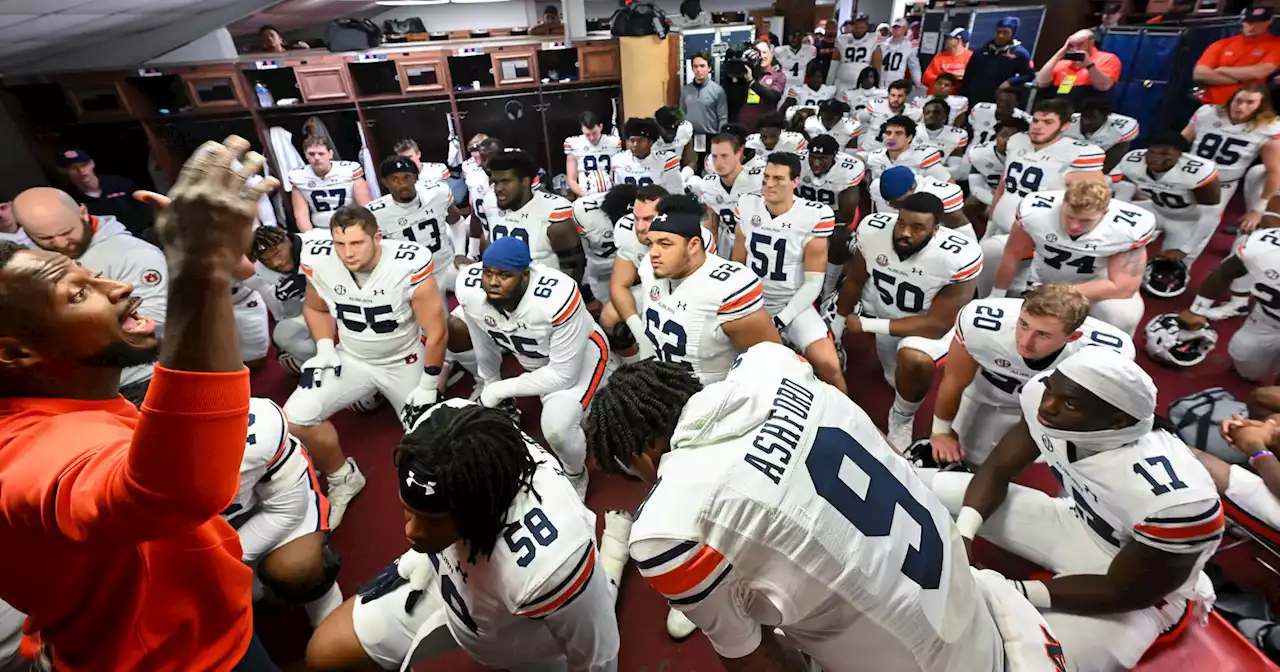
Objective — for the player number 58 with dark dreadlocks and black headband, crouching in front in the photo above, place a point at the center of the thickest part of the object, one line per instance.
(504, 555)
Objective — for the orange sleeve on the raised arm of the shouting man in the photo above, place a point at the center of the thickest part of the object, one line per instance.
(176, 472)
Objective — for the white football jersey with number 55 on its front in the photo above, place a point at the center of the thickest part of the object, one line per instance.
(376, 313)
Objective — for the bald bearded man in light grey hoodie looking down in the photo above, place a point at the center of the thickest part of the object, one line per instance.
(57, 223)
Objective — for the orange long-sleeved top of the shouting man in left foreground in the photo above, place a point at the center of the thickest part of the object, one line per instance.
(111, 522)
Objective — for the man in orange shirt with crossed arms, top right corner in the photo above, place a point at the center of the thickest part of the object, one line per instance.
(1249, 58)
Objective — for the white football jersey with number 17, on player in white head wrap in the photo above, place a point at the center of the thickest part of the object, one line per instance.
(1153, 492)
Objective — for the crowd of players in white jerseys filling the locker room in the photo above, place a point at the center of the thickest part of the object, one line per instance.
(688, 331)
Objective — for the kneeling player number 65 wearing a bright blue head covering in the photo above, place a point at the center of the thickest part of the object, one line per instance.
(537, 314)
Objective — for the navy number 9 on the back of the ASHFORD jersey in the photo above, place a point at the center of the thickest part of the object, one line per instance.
(874, 511)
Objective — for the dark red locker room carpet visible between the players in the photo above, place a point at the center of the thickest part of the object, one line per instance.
(372, 536)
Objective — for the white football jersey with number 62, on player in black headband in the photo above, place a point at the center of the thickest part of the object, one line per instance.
(684, 317)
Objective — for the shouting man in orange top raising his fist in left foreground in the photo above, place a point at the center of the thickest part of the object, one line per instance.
(109, 518)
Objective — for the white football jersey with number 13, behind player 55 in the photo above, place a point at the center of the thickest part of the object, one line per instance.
(423, 221)
